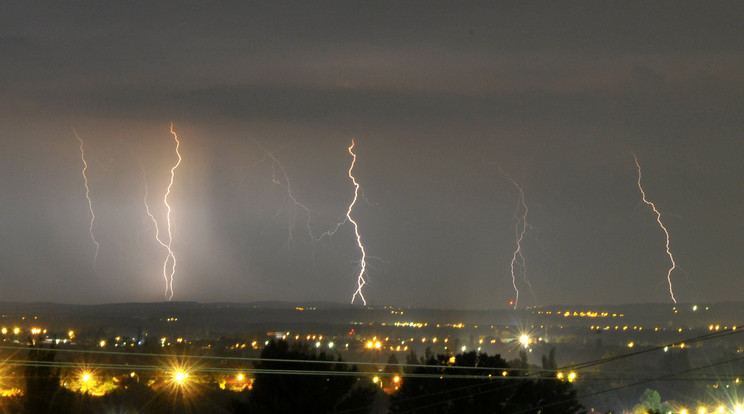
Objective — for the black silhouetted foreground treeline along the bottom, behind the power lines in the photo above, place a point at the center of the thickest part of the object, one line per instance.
(295, 378)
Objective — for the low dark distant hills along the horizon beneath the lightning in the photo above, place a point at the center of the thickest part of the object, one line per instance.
(202, 318)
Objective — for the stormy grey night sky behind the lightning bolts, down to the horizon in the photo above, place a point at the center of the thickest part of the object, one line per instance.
(436, 95)
